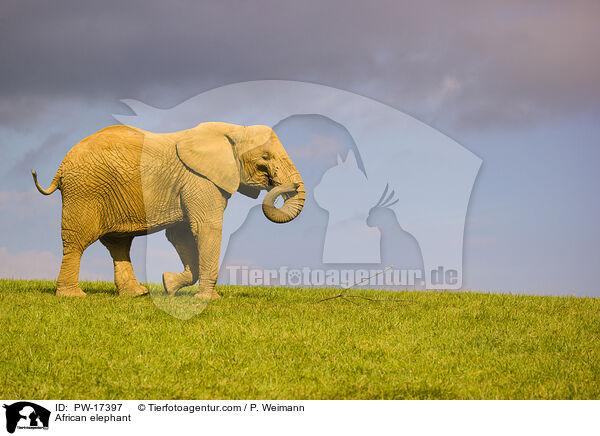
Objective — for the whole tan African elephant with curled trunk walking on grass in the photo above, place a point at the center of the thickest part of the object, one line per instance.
(123, 182)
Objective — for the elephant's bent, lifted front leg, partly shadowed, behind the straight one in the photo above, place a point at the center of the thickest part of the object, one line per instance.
(183, 240)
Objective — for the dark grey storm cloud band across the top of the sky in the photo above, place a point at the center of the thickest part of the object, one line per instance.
(479, 63)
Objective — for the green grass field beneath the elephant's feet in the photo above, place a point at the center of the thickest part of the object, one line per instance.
(276, 343)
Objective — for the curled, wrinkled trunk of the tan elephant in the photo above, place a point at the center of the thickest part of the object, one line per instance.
(294, 194)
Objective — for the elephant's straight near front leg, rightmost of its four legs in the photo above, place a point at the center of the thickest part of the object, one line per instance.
(208, 238)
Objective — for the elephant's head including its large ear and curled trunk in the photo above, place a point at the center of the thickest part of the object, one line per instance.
(246, 159)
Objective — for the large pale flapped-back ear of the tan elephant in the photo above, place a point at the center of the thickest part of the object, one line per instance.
(207, 150)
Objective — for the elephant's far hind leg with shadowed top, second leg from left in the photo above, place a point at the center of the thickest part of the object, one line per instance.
(125, 279)
